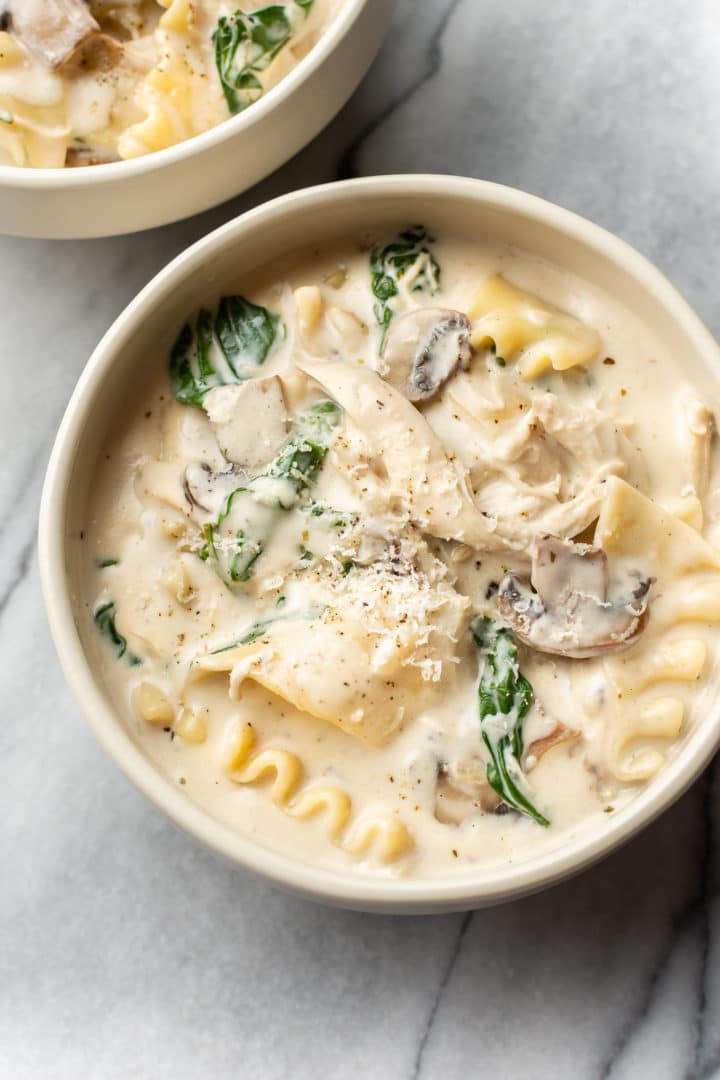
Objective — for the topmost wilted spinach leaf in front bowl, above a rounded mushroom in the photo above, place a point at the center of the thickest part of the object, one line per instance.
(392, 262)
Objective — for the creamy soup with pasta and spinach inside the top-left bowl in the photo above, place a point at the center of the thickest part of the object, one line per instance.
(90, 82)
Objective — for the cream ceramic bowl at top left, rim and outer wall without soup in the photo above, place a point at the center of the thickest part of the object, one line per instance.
(192, 177)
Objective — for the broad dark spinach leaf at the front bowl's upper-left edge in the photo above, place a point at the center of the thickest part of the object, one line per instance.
(226, 347)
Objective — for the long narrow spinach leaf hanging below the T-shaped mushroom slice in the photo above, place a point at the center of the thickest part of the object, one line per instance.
(506, 698)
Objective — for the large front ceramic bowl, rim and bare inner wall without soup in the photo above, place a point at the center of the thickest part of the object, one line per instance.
(297, 220)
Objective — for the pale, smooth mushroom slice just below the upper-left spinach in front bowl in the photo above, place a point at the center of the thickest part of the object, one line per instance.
(251, 421)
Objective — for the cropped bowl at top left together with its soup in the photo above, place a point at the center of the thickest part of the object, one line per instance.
(169, 107)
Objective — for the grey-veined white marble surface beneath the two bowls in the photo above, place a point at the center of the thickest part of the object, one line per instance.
(127, 951)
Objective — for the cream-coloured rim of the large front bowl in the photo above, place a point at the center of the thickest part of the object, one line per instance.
(477, 887)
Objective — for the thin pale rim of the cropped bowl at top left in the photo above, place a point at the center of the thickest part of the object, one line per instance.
(24, 178)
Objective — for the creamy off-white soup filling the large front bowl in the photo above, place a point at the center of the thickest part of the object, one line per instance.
(360, 690)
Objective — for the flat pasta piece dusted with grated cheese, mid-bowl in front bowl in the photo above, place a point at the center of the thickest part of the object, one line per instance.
(368, 664)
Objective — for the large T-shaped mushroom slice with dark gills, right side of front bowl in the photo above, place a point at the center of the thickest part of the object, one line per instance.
(564, 609)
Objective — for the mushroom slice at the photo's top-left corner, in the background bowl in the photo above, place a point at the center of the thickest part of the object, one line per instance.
(55, 30)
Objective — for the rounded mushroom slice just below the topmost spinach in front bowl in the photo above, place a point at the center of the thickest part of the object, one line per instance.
(424, 349)
